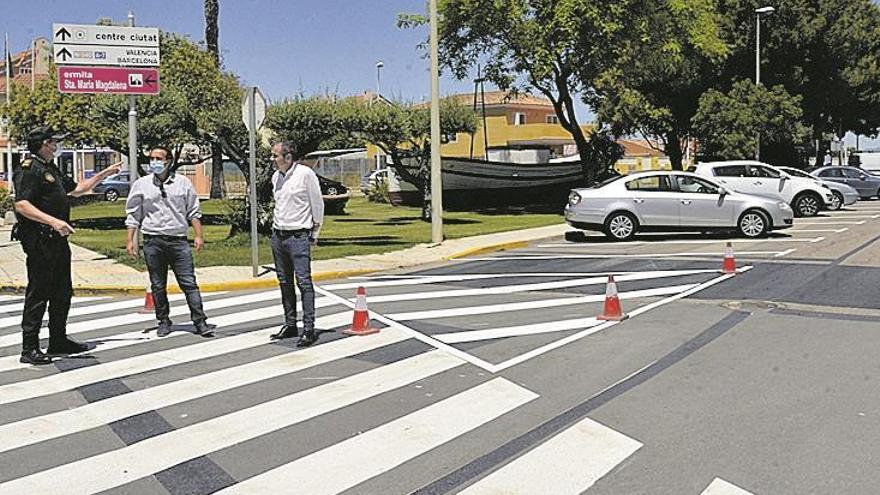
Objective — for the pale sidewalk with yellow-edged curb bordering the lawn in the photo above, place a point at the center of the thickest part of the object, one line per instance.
(94, 272)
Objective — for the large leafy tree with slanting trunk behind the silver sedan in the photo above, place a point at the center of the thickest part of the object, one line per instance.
(559, 48)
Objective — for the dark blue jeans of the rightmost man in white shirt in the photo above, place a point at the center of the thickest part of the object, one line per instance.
(293, 260)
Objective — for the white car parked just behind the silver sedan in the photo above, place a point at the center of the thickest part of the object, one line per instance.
(806, 196)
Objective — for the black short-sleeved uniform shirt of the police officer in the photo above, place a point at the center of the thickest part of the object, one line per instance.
(45, 187)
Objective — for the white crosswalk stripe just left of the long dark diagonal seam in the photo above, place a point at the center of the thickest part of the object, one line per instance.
(379, 450)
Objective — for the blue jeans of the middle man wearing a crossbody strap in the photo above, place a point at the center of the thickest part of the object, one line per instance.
(160, 253)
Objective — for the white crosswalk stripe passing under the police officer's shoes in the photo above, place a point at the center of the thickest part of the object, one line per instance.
(109, 342)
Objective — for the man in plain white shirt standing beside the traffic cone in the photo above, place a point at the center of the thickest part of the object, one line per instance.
(299, 212)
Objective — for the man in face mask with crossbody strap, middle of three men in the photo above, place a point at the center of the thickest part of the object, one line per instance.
(163, 204)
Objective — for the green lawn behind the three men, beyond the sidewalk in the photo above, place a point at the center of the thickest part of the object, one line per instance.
(366, 228)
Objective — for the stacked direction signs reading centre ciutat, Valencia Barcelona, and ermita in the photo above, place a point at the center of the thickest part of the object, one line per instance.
(106, 59)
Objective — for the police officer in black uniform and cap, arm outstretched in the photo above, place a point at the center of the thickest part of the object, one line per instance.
(42, 207)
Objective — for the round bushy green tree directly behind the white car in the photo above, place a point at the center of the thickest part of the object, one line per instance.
(728, 124)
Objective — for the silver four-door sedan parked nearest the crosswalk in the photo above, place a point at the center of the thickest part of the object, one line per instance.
(672, 201)
